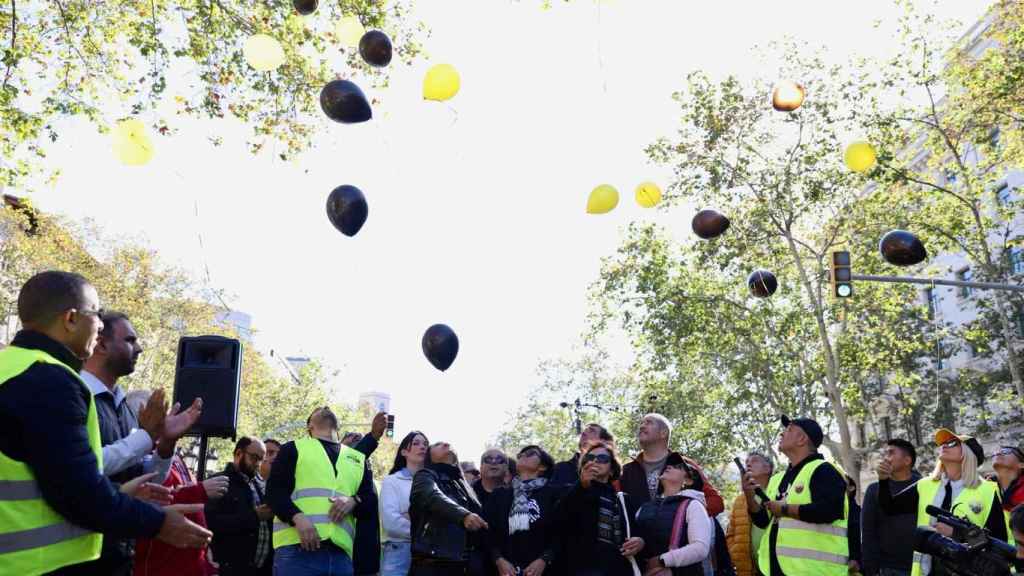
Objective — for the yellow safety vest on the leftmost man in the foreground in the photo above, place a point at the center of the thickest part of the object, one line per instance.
(34, 539)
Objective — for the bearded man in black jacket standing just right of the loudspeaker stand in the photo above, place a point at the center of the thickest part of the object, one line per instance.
(241, 520)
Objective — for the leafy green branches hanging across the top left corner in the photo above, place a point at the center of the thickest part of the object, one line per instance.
(108, 61)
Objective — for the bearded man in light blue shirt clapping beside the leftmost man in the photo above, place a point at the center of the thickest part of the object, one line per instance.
(129, 438)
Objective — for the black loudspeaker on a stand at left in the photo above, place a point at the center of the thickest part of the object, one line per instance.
(210, 367)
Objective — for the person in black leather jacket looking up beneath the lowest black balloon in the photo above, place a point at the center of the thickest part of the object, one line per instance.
(446, 518)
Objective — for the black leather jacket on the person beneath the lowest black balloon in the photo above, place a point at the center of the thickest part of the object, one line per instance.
(440, 501)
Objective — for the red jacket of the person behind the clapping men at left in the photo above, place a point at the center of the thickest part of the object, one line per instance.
(154, 558)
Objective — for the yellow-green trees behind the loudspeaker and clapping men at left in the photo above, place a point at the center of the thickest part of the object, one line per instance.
(165, 304)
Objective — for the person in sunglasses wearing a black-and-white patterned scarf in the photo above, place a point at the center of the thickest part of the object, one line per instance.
(521, 541)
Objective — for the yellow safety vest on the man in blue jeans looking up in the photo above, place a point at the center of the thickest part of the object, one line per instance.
(316, 482)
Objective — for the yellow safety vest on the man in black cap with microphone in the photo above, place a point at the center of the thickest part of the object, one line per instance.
(802, 548)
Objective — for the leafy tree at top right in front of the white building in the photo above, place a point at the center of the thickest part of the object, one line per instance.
(946, 149)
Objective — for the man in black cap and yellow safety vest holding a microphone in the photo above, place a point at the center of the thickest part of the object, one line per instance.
(807, 517)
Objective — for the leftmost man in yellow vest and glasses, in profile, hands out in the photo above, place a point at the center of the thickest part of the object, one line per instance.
(56, 504)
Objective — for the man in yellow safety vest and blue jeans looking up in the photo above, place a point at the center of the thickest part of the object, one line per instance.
(317, 489)
